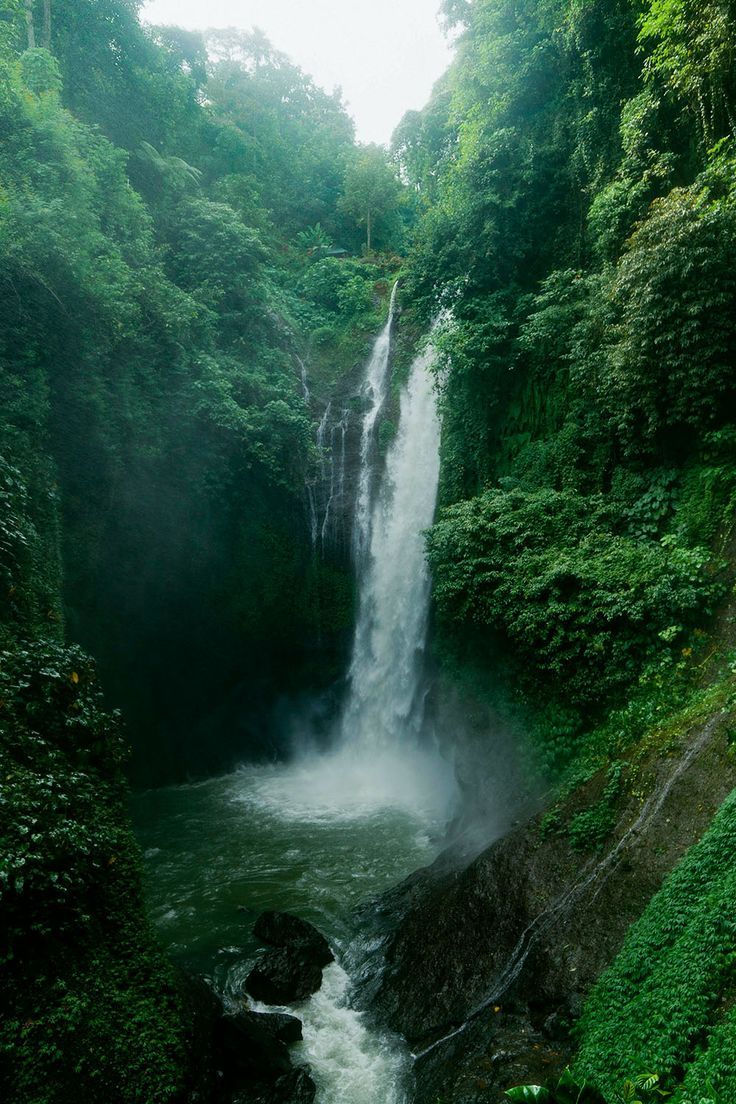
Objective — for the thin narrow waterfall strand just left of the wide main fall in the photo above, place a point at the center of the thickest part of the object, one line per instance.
(375, 392)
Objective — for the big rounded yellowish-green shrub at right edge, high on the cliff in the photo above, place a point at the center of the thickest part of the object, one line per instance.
(669, 359)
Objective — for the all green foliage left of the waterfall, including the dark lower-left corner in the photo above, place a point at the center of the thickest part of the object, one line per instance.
(174, 245)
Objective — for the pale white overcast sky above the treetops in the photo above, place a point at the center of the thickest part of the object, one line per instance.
(385, 55)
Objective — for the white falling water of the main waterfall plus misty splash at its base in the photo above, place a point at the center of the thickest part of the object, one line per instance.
(381, 759)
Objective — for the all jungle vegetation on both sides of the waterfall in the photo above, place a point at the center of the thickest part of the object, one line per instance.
(170, 208)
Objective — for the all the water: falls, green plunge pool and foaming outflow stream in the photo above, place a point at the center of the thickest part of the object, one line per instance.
(329, 831)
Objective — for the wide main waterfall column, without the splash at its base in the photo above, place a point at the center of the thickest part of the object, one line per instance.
(385, 704)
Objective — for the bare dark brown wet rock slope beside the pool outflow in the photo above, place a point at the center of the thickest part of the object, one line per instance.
(487, 965)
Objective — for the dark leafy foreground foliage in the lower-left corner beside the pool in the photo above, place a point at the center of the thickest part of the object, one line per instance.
(91, 1009)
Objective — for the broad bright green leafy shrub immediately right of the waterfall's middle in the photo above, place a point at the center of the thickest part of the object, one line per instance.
(577, 601)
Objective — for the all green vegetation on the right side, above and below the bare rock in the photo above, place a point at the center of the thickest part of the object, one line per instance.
(577, 169)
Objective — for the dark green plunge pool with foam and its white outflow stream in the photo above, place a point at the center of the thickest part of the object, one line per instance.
(314, 841)
